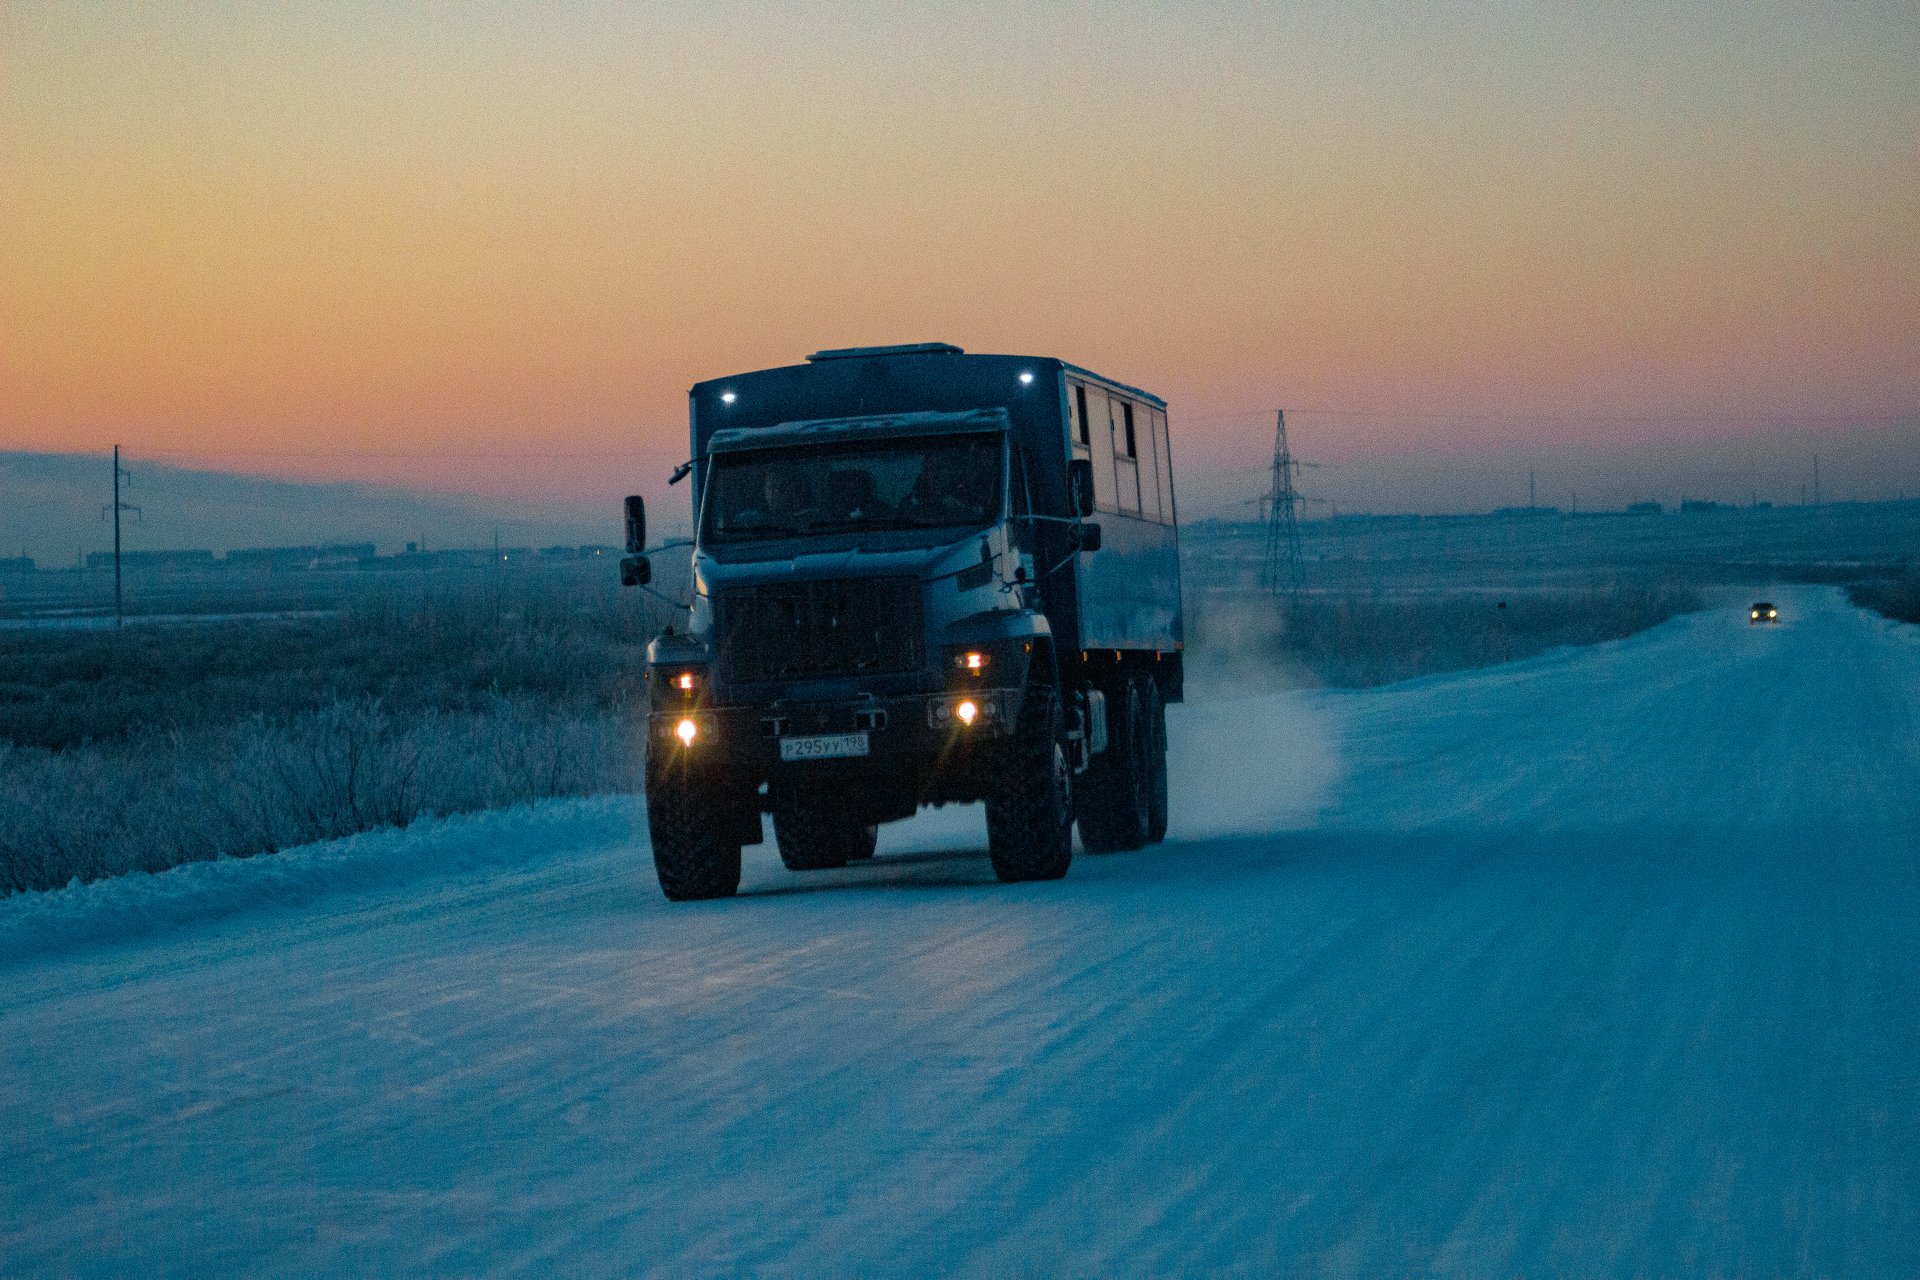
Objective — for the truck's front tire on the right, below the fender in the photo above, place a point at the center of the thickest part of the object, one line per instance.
(1030, 795)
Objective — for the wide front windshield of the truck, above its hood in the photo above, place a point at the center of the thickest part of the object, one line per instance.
(917, 483)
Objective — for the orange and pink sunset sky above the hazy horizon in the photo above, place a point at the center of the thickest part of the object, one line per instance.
(491, 247)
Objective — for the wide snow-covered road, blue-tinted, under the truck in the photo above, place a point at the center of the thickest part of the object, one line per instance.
(1596, 964)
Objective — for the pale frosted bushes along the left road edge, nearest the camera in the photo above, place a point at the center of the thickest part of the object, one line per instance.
(158, 799)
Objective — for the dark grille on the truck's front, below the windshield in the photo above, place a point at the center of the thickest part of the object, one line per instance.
(794, 630)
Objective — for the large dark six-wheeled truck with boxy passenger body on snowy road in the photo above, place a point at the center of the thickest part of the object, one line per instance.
(919, 577)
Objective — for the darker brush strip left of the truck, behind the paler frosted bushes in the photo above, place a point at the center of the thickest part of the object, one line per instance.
(427, 644)
